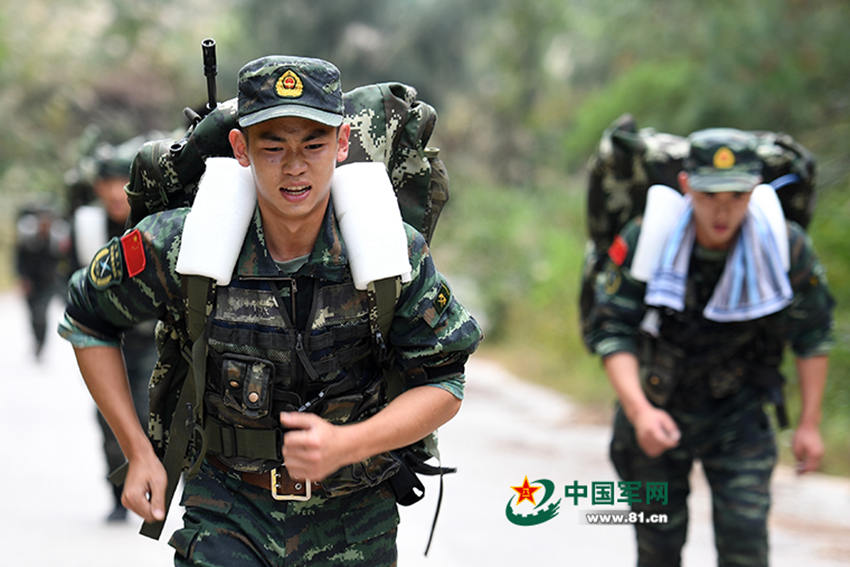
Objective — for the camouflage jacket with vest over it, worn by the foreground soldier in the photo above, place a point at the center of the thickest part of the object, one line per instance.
(251, 336)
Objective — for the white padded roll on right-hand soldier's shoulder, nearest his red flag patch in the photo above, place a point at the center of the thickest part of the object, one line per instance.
(664, 206)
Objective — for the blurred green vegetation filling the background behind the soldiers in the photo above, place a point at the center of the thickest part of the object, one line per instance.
(523, 89)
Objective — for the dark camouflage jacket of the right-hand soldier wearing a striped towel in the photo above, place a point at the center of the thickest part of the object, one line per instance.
(706, 345)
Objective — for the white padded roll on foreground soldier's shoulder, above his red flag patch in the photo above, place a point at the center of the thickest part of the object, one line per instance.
(216, 226)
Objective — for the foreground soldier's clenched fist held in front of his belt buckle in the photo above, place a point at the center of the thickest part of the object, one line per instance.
(313, 448)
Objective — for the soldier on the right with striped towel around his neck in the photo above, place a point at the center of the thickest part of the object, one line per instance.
(691, 387)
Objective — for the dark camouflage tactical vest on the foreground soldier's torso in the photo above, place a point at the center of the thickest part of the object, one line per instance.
(259, 363)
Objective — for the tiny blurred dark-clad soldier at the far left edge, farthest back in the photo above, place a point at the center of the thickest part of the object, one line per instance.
(41, 242)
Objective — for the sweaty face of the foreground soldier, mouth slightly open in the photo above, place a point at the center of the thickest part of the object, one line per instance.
(293, 160)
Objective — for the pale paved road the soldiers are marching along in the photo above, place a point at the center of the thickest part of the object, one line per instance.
(54, 496)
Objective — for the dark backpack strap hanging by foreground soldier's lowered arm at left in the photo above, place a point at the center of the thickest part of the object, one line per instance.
(187, 421)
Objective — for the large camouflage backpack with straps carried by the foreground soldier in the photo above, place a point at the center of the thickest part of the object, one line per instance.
(388, 125)
